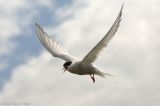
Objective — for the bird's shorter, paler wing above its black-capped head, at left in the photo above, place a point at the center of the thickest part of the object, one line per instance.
(52, 46)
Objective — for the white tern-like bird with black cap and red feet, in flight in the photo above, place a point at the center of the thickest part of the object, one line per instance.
(84, 66)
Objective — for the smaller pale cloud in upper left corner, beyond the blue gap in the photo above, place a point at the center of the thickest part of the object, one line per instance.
(12, 21)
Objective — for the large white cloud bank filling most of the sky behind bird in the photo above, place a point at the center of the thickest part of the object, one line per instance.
(133, 53)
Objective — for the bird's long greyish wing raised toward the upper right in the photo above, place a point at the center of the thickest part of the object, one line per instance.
(93, 54)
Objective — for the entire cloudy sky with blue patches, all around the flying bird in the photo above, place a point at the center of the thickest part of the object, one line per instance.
(30, 76)
